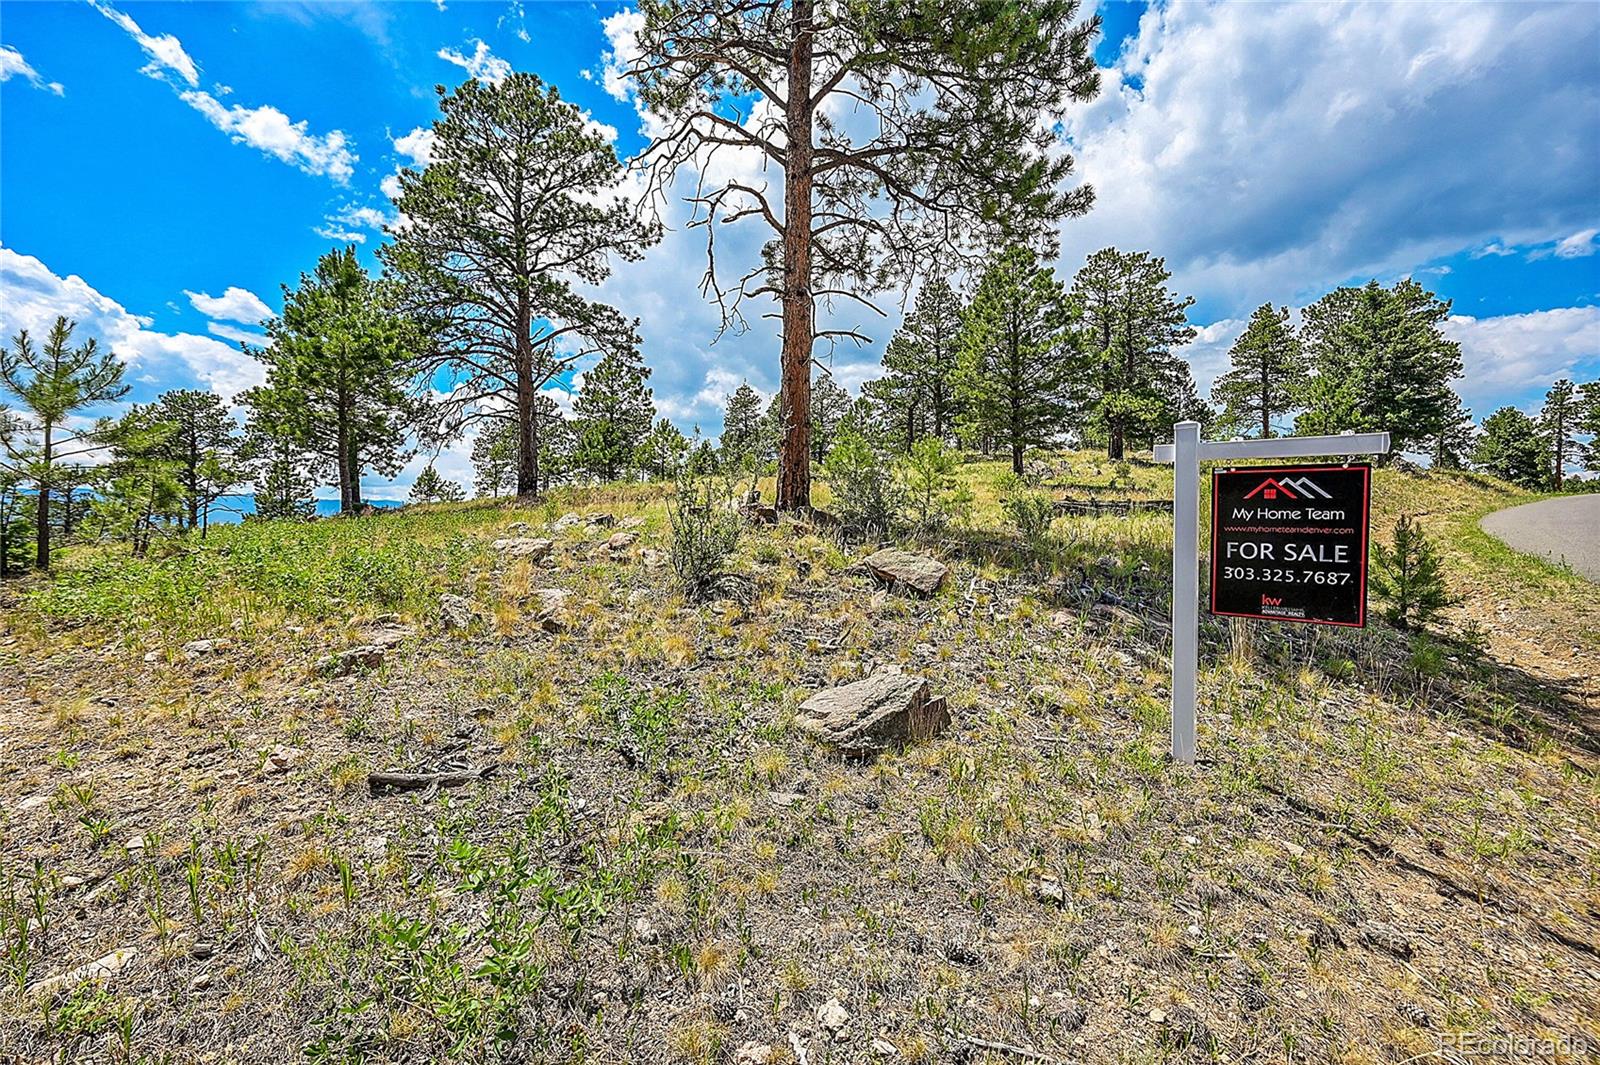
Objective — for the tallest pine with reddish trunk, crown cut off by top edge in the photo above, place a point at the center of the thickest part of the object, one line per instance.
(953, 145)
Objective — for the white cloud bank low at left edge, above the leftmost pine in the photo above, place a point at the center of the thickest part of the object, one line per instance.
(33, 297)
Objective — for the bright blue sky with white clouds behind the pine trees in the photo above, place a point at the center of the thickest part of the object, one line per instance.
(167, 167)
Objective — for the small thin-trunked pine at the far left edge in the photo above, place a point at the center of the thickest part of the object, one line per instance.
(52, 385)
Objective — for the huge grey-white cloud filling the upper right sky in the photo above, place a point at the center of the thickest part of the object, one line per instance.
(1274, 151)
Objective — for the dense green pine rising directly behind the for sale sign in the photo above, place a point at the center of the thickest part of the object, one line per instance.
(1380, 362)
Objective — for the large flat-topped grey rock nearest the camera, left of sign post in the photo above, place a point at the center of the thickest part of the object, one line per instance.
(874, 714)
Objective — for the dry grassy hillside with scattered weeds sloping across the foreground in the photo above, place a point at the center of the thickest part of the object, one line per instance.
(1388, 848)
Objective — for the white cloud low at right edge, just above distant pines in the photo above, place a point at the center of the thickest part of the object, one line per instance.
(1511, 354)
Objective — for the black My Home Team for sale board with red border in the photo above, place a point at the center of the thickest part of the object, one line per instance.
(1290, 543)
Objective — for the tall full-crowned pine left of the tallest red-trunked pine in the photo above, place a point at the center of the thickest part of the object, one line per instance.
(514, 217)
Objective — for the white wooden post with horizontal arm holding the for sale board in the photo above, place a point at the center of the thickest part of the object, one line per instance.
(1186, 453)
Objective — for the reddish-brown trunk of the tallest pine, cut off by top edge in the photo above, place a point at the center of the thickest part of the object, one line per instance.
(794, 453)
